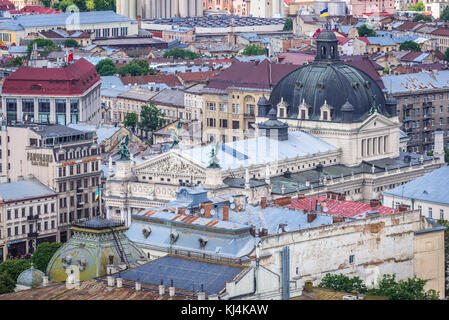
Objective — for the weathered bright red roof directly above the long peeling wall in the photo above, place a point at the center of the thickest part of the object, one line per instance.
(347, 209)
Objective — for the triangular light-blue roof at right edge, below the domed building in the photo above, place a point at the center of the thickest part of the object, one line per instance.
(432, 187)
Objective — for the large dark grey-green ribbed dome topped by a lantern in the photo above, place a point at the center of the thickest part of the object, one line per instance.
(334, 82)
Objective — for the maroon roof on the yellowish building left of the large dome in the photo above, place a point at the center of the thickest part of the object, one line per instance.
(263, 75)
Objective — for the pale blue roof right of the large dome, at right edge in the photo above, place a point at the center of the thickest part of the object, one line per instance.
(412, 82)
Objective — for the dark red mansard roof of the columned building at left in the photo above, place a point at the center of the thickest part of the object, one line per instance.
(72, 80)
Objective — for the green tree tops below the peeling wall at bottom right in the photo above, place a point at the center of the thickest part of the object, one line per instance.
(410, 289)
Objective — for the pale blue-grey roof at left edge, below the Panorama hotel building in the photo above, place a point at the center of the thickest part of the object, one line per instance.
(24, 189)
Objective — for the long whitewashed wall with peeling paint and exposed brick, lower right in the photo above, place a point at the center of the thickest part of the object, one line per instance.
(379, 245)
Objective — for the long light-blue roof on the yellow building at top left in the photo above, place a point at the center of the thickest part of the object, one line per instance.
(62, 19)
